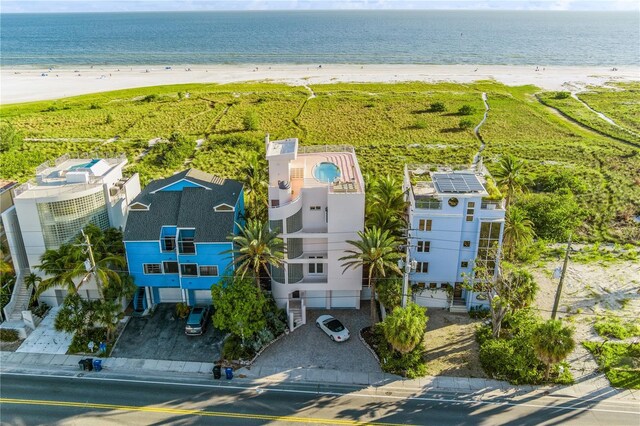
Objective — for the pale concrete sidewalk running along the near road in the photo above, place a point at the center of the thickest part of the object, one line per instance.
(15, 361)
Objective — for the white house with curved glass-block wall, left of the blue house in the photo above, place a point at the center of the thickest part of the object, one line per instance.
(66, 195)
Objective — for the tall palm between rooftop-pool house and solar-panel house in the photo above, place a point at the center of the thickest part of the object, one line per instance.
(377, 252)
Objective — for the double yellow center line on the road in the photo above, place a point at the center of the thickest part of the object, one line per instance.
(167, 410)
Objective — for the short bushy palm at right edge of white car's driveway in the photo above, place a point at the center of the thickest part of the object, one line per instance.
(404, 328)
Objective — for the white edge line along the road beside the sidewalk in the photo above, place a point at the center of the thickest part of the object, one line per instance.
(357, 393)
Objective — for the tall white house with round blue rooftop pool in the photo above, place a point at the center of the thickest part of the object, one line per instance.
(316, 197)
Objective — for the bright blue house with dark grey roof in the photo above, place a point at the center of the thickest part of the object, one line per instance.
(176, 236)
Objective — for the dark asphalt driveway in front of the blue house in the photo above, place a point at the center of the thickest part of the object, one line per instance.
(161, 336)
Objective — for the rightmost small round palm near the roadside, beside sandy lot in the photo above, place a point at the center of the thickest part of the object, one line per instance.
(552, 343)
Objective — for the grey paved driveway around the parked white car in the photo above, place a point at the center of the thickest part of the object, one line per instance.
(310, 347)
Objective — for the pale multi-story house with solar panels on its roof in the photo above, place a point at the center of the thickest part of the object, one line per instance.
(454, 224)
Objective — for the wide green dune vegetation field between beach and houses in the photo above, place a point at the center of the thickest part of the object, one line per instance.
(379, 120)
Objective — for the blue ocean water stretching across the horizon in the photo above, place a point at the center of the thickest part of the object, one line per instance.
(419, 37)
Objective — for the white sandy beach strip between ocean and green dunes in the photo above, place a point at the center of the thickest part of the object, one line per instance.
(32, 84)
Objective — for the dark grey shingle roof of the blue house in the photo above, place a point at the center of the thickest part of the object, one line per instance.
(189, 208)
